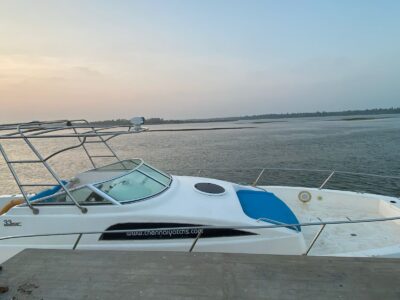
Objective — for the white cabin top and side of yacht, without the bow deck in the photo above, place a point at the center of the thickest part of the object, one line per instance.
(179, 204)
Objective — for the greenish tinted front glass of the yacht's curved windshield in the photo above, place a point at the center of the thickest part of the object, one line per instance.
(142, 182)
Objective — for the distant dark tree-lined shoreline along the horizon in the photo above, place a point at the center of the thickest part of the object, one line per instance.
(158, 121)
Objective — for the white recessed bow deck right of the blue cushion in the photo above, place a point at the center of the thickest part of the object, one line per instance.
(358, 239)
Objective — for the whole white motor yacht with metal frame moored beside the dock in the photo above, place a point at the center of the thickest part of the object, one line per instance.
(130, 205)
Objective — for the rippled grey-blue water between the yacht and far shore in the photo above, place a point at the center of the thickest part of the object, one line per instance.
(367, 146)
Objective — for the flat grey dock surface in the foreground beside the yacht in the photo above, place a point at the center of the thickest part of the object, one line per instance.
(67, 274)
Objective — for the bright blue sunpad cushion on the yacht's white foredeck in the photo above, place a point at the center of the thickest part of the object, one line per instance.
(259, 204)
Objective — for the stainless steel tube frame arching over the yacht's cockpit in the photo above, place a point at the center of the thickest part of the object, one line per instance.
(57, 129)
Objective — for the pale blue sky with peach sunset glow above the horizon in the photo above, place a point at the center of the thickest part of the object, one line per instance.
(195, 59)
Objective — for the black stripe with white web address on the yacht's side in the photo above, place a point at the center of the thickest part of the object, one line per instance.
(167, 234)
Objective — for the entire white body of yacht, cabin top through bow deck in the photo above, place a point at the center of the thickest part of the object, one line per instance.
(181, 204)
